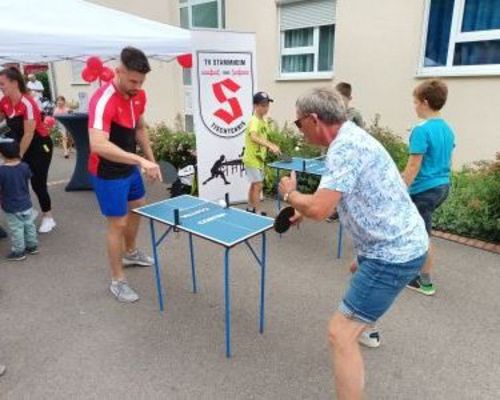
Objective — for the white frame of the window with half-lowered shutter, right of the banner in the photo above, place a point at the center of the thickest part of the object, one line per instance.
(314, 50)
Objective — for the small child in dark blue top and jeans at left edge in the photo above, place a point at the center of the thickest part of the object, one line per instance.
(16, 202)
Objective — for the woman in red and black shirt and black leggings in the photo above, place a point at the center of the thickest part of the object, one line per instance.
(24, 118)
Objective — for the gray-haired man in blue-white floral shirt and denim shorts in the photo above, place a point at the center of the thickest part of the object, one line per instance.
(388, 233)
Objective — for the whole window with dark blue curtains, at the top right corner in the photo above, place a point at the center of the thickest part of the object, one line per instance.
(462, 37)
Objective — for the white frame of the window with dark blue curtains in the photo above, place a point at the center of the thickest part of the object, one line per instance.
(456, 36)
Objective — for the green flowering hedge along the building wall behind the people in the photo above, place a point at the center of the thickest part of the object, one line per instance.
(472, 208)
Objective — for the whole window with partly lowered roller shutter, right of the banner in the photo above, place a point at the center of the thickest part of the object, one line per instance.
(307, 39)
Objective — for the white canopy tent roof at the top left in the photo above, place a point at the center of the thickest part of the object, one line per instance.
(34, 31)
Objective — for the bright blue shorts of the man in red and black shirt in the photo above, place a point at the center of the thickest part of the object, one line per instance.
(113, 195)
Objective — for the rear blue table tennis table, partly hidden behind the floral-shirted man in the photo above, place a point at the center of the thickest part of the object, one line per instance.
(310, 166)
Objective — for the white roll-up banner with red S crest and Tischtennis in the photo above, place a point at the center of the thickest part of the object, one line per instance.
(223, 86)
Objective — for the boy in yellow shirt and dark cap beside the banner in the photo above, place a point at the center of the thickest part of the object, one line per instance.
(256, 146)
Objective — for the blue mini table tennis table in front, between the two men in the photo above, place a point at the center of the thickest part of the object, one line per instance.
(225, 226)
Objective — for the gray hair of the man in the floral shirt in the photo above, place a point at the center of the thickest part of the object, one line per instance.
(326, 103)
